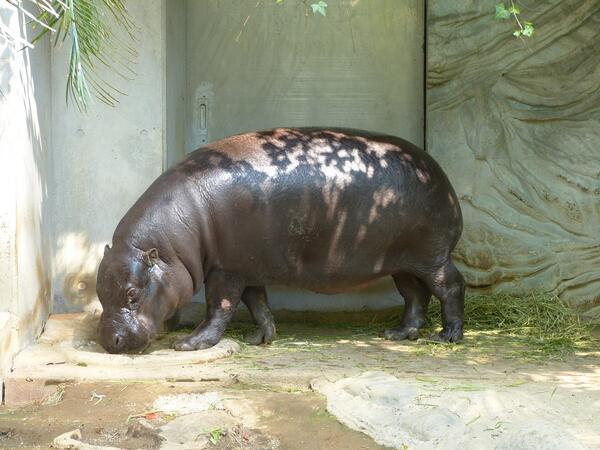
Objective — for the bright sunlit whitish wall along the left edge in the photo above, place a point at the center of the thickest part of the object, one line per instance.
(25, 138)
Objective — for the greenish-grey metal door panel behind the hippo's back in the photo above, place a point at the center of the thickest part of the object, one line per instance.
(254, 65)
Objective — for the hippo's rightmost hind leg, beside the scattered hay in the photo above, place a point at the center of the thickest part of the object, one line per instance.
(448, 285)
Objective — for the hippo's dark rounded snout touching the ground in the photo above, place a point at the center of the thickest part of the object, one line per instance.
(116, 337)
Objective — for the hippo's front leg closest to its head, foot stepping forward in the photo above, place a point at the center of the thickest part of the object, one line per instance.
(223, 295)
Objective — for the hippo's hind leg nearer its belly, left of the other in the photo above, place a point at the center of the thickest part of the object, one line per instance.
(416, 301)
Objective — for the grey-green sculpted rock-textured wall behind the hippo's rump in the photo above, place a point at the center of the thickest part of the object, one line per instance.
(516, 124)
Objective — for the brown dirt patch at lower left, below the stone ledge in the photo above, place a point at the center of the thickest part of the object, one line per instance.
(291, 420)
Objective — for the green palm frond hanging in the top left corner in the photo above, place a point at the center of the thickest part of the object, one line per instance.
(89, 25)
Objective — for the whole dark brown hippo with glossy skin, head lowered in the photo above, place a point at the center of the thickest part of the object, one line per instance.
(321, 209)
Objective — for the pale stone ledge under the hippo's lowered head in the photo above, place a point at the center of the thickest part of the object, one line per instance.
(67, 352)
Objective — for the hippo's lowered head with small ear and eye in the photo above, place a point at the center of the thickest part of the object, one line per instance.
(138, 292)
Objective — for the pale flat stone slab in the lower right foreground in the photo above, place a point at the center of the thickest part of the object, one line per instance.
(430, 415)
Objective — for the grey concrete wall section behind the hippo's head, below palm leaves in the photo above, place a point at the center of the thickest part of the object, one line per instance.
(105, 159)
